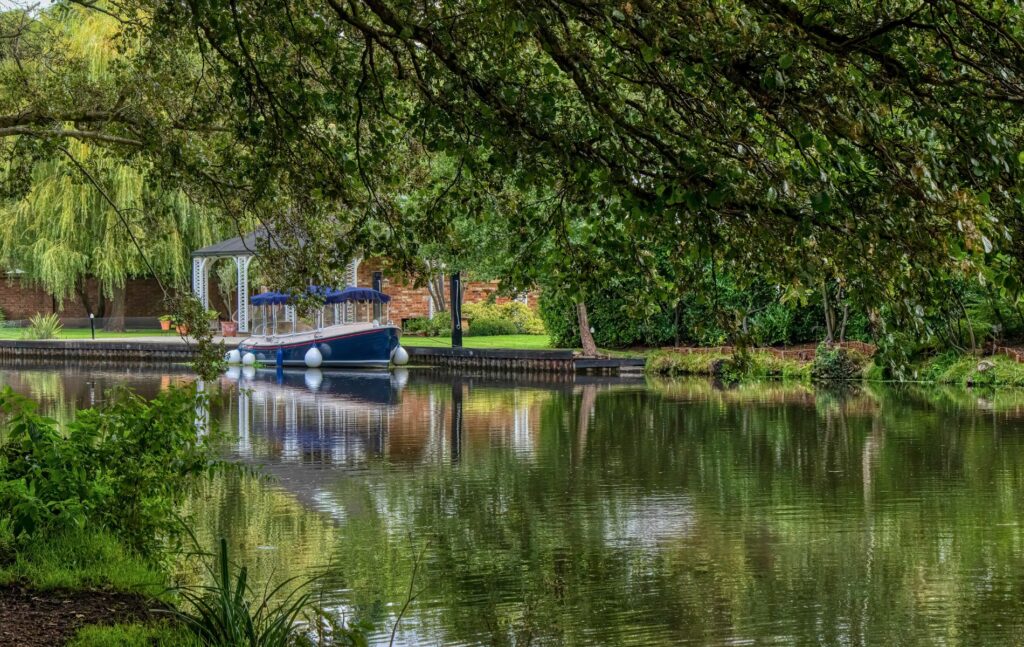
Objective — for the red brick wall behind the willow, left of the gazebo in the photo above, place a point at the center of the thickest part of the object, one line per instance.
(21, 300)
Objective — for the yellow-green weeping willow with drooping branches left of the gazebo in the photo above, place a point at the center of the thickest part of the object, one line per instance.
(83, 205)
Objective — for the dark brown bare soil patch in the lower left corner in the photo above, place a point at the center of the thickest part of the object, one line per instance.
(31, 619)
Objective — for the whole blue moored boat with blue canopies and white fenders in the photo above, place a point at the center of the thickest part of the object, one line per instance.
(347, 342)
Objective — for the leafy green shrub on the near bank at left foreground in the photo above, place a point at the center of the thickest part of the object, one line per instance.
(124, 467)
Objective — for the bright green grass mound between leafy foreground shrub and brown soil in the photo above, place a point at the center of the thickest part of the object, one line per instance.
(80, 559)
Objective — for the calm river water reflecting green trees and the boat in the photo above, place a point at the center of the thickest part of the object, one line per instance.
(615, 513)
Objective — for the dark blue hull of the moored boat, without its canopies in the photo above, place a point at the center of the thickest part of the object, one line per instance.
(368, 349)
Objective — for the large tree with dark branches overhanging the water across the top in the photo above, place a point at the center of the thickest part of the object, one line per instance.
(877, 145)
